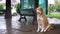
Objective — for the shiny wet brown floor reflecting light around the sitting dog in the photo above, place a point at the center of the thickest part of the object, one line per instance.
(13, 26)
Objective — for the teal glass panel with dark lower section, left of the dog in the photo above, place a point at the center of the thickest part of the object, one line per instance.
(26, 7)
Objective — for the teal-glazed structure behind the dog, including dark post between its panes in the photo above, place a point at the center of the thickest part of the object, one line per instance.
(27, 7)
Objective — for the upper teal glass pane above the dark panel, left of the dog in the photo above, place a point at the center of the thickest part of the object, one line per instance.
(27, 4)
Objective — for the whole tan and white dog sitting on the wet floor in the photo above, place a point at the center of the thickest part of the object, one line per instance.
(42, 21)
